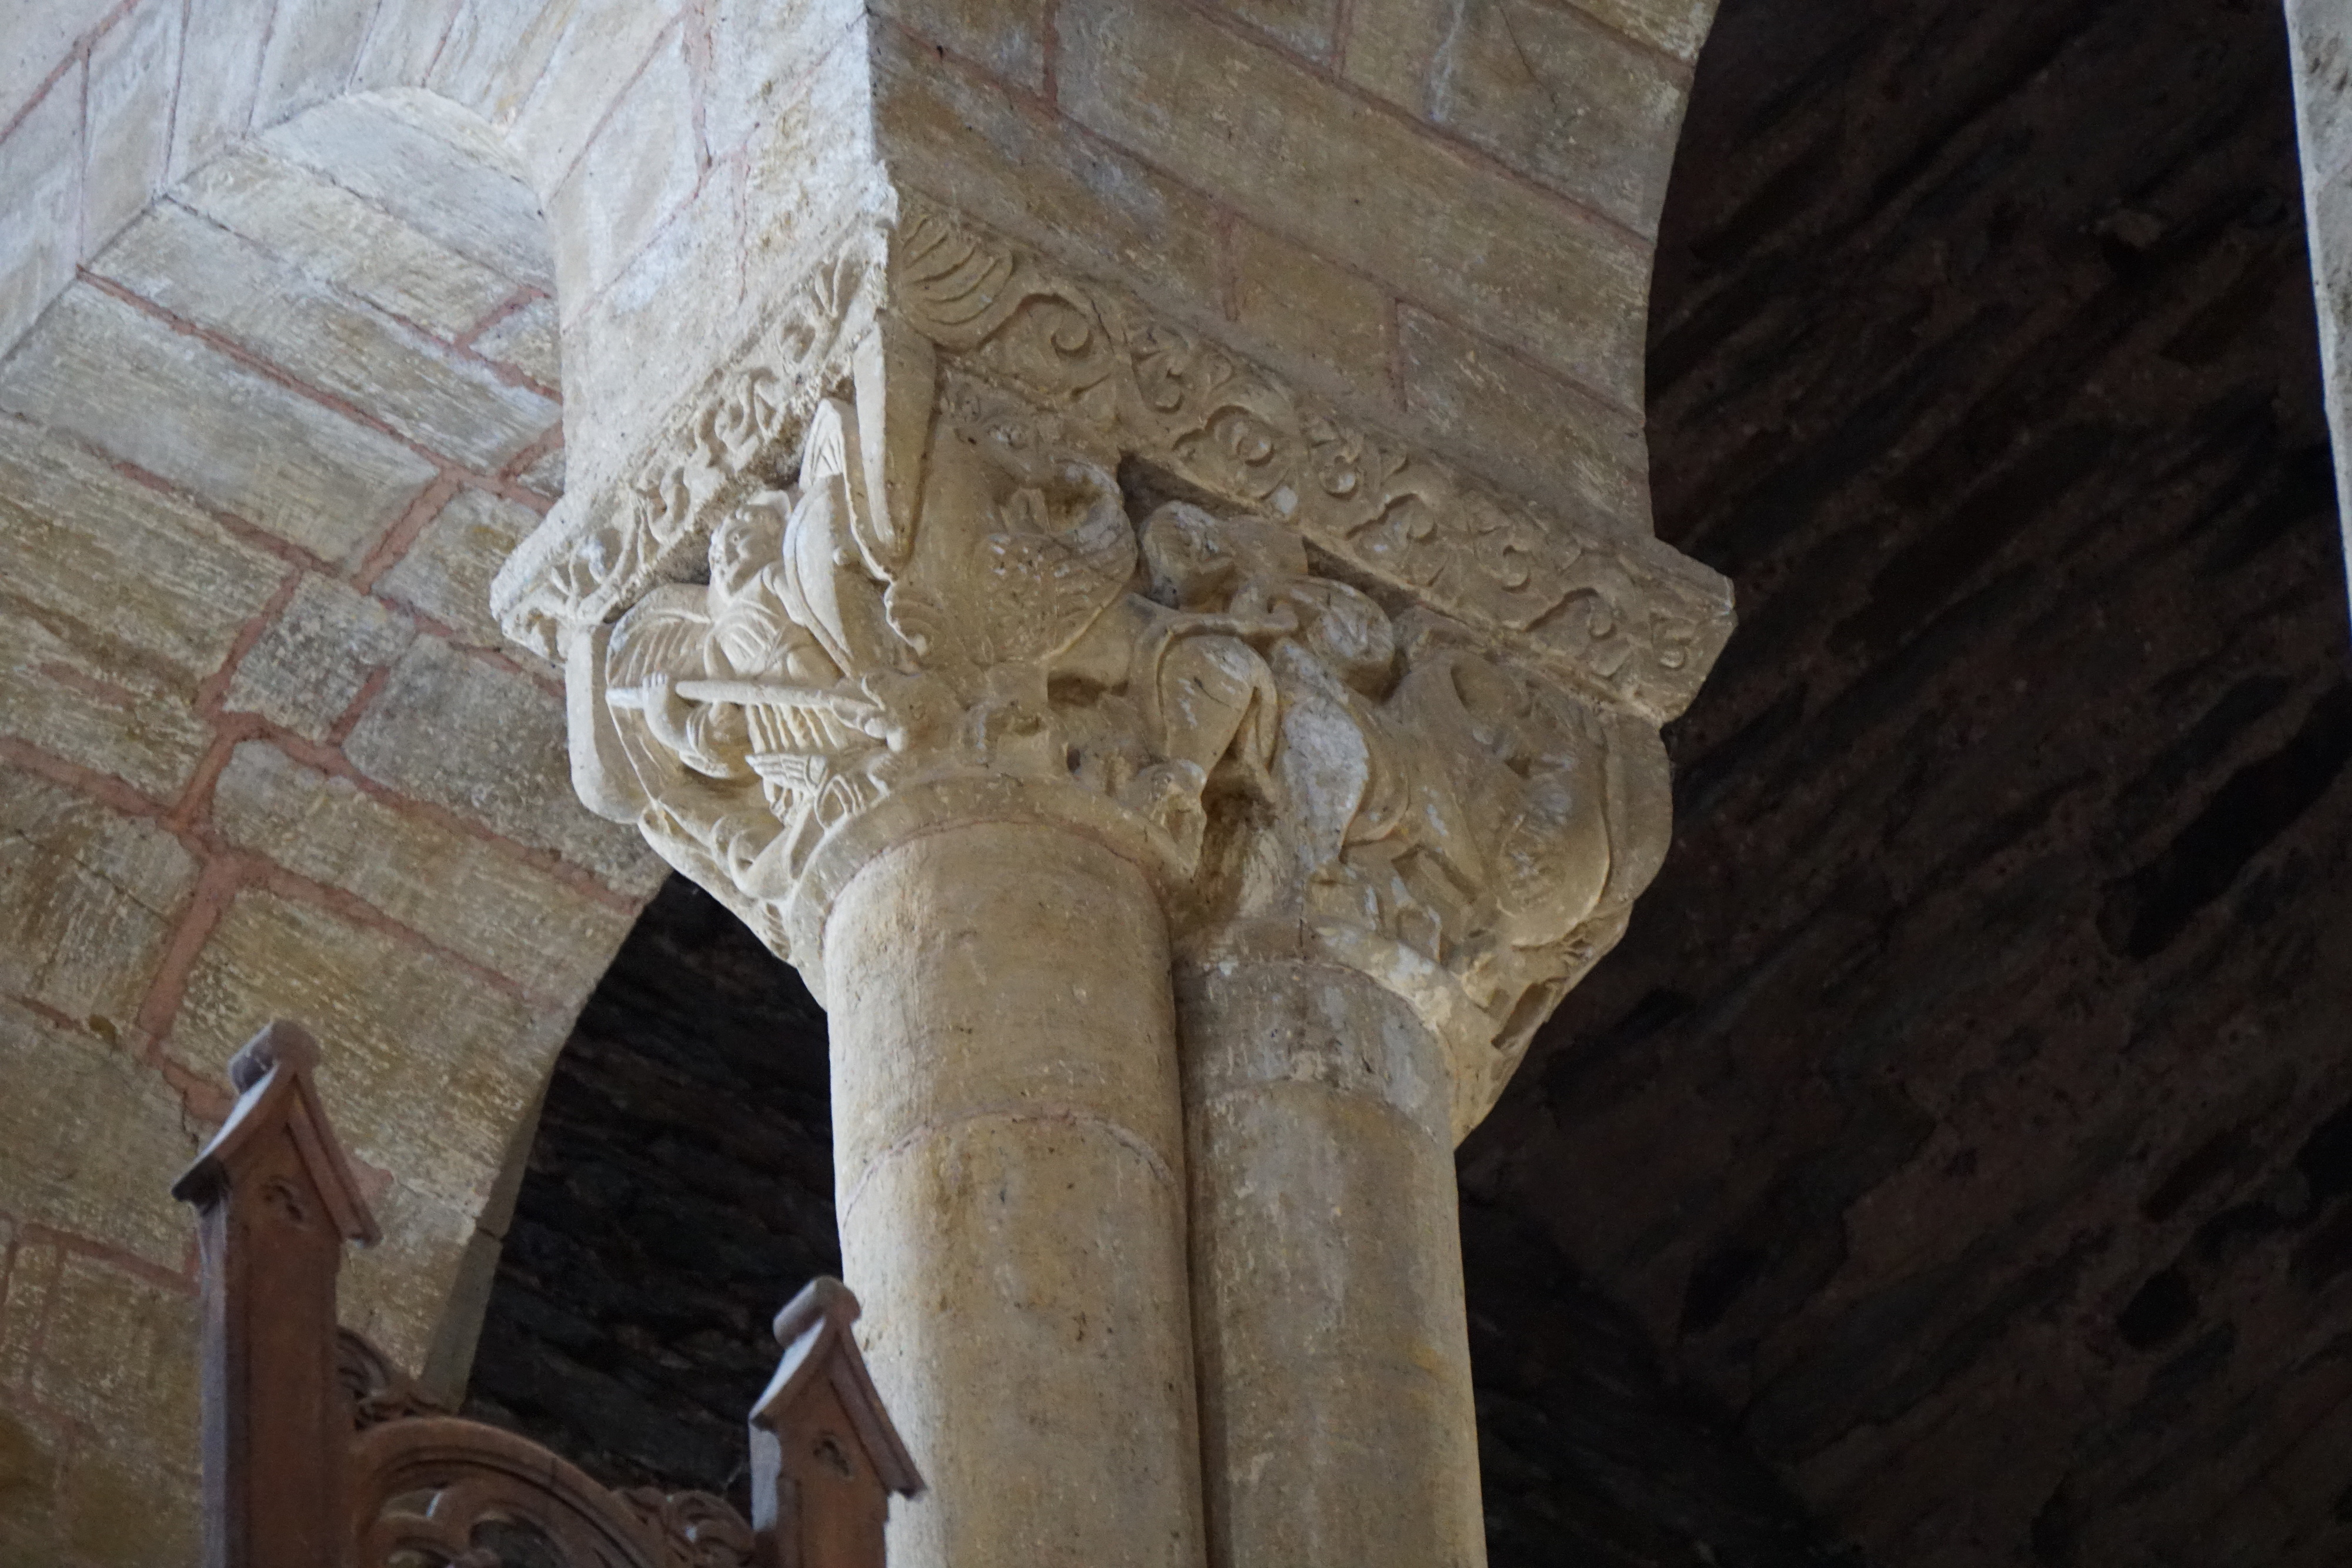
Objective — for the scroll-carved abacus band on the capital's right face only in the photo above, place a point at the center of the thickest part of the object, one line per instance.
(1589, 601)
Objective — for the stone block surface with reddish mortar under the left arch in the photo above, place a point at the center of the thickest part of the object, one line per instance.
(262, 756)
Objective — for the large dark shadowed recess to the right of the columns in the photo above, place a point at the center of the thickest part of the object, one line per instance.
(1970, 1104)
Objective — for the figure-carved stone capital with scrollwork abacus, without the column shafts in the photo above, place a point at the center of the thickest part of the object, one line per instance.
(961, 535)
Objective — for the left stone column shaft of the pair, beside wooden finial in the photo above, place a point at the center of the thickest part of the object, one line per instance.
(1010, 1151)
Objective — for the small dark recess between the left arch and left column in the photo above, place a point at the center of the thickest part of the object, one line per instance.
(679, 1195)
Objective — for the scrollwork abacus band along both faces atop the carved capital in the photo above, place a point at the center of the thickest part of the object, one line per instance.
(1615, 615)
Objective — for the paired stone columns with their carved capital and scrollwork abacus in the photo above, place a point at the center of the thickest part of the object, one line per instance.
(1003, 652)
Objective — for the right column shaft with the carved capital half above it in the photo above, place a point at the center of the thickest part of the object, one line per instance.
(1441, 845)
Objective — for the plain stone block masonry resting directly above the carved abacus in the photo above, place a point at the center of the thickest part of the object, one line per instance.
(1441, 217)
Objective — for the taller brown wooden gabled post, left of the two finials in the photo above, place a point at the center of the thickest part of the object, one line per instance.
(276, 1205)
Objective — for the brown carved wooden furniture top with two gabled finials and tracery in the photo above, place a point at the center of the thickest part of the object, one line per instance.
(319, 1454)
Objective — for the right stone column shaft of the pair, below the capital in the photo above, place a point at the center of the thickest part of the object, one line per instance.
(1328, 1285)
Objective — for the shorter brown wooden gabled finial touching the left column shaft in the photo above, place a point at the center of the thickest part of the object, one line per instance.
(827, 1456)
